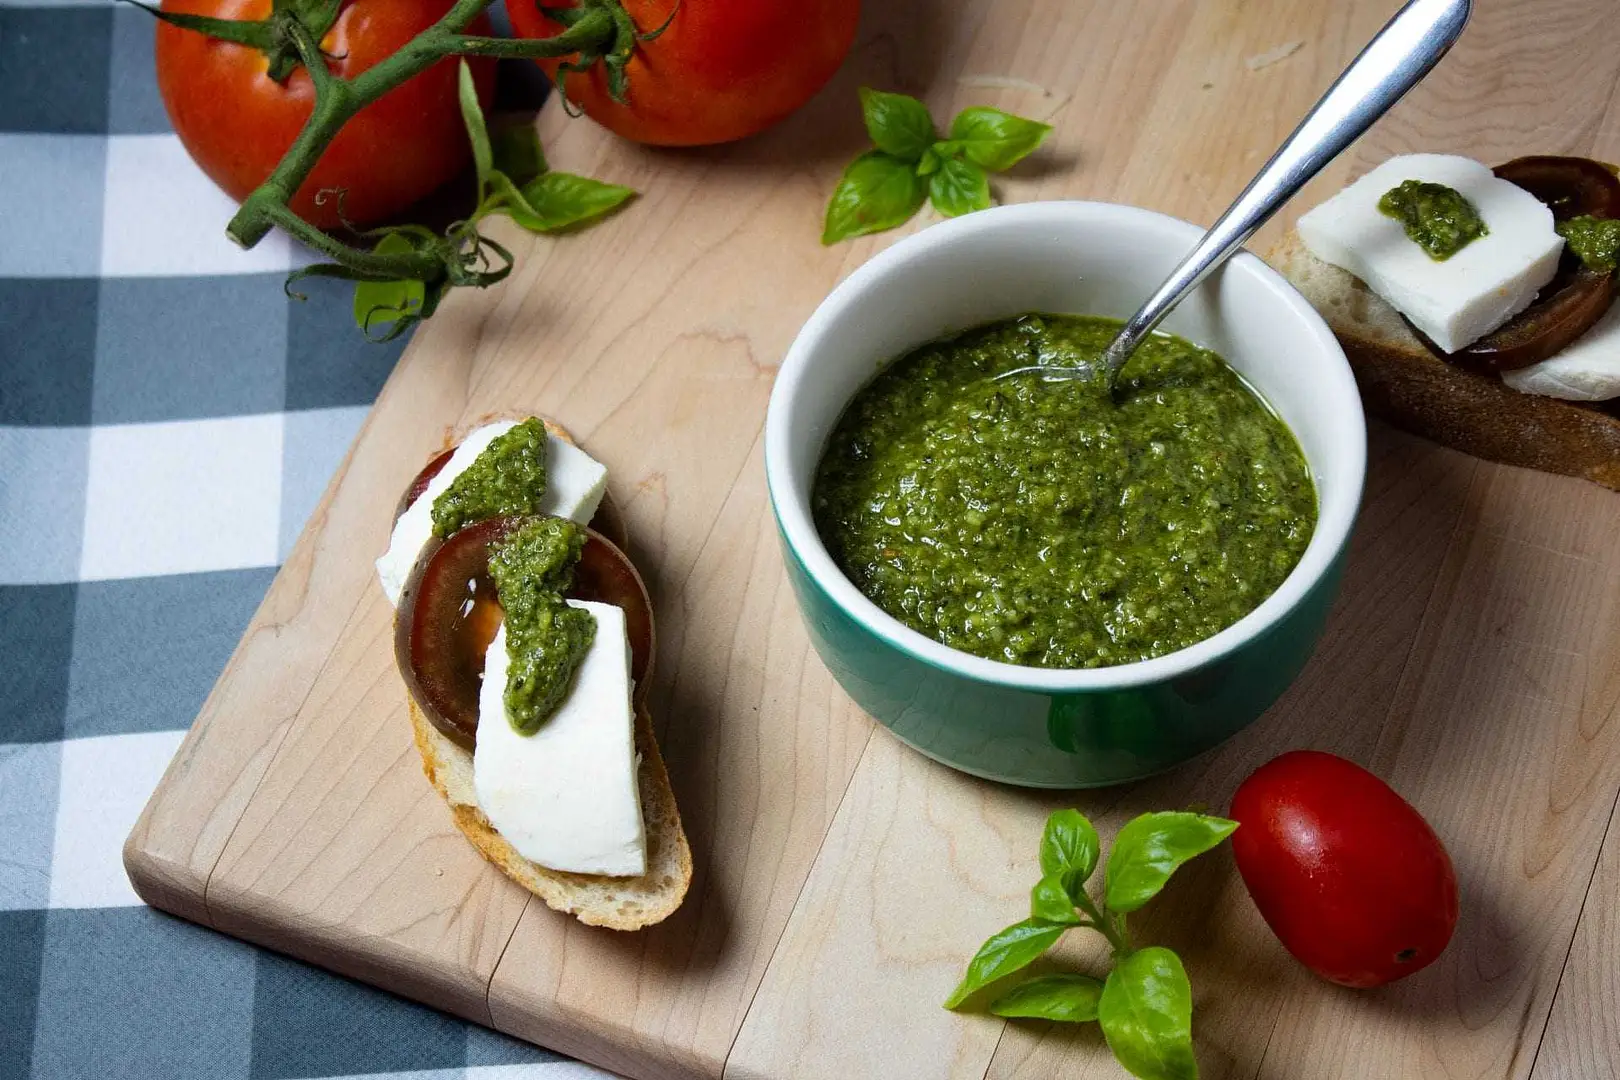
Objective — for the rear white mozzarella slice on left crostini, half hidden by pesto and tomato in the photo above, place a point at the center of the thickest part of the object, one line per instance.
(576, 483)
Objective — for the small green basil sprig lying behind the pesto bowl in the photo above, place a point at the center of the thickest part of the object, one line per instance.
(885, 187)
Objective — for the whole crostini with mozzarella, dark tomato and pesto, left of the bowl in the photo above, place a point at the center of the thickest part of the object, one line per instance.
(526, 642)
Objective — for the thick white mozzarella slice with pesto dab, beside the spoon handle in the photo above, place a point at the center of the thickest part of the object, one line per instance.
(1457, 300)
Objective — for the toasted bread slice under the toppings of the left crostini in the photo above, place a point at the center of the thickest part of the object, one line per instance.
(594, 899)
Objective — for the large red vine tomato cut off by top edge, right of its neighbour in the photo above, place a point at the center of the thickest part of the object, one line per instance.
(720, 72)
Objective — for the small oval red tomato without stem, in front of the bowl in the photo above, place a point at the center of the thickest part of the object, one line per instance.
(1345, 872)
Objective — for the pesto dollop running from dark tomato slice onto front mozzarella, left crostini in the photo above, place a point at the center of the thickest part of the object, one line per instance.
(547, 640)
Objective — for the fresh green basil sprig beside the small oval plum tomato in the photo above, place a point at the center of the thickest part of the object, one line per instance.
(1145, 1006)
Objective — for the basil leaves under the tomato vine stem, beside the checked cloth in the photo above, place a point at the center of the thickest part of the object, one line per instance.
(513, 181)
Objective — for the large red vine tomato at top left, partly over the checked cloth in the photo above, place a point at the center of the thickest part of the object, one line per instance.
(237, 122)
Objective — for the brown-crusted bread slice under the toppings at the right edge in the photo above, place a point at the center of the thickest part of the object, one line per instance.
(1412, 388)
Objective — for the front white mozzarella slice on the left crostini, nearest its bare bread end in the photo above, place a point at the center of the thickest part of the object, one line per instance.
(568, 797)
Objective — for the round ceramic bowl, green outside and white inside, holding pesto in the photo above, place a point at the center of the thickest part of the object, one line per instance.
(1033, 726)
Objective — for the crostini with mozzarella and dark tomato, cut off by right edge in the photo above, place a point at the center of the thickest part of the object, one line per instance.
(1509, 349)
